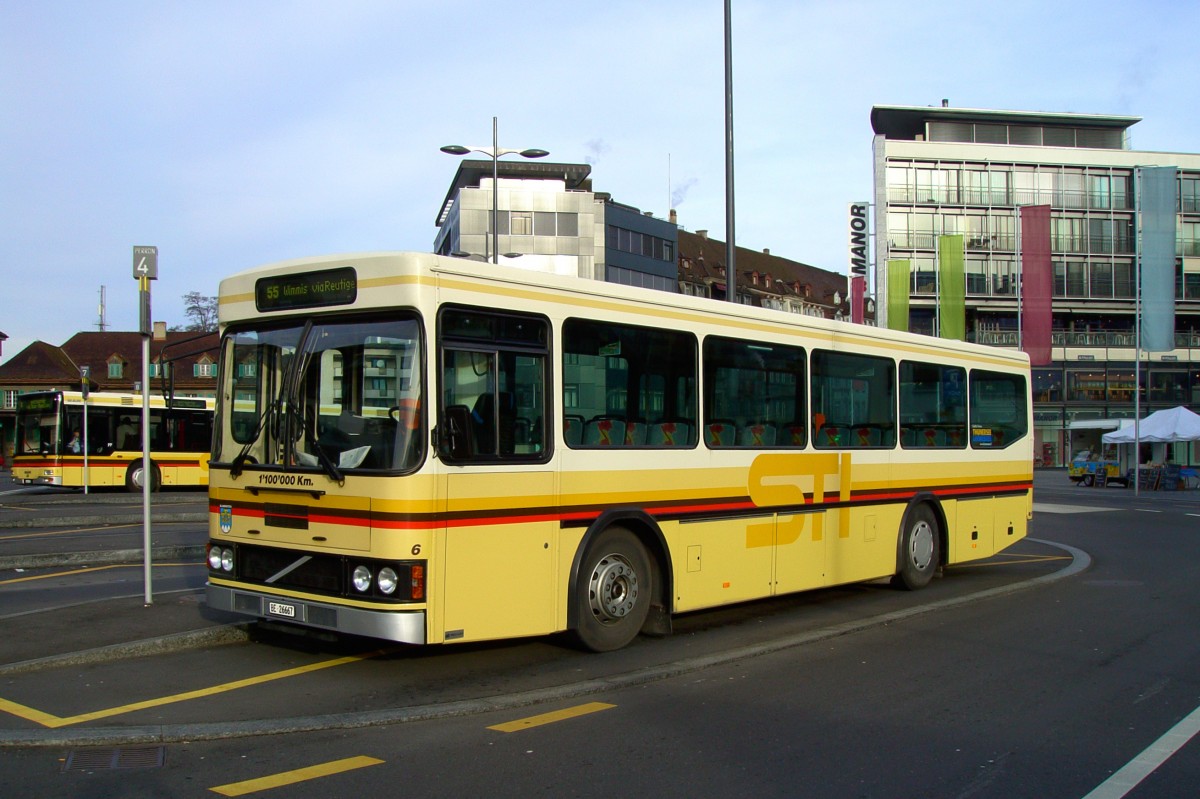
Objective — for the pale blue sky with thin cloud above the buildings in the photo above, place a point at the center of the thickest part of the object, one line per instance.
(238, 134)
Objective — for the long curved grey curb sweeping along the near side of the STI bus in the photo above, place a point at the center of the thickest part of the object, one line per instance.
(218, 731)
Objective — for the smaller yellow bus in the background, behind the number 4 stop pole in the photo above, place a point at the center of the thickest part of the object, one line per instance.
(55, 444)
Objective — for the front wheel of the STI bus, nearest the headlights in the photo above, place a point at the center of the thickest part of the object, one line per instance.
(614, 591)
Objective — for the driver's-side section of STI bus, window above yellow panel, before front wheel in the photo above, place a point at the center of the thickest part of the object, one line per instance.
(501, 537)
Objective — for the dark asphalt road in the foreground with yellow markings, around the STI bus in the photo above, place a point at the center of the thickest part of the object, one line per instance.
(968, 689)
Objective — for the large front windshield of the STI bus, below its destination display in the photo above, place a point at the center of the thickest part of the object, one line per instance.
(335, 397)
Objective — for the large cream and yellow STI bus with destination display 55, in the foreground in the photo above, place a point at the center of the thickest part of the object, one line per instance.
(434, 450)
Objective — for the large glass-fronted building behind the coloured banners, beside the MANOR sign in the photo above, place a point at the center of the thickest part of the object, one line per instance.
(951, 171)
